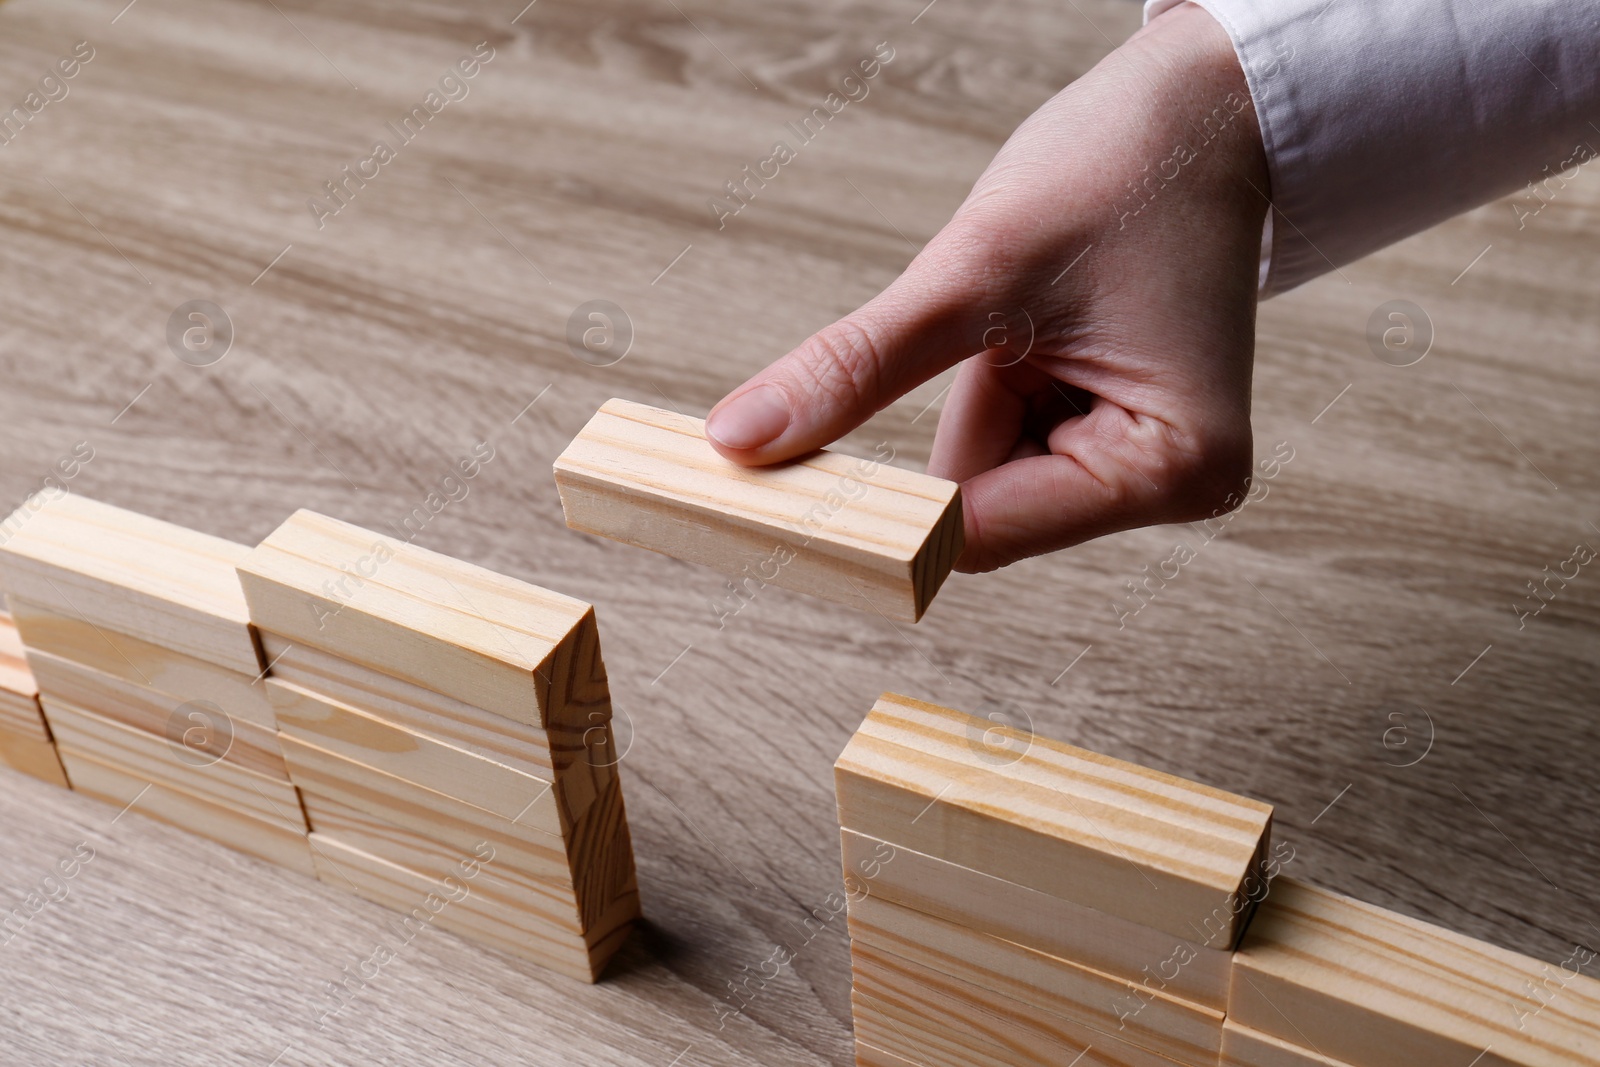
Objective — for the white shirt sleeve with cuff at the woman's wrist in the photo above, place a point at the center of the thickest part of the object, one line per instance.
(1383, 118)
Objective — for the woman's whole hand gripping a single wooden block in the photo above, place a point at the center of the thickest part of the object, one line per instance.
(1105, 274)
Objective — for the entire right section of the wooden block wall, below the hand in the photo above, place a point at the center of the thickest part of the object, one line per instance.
(1015, 901)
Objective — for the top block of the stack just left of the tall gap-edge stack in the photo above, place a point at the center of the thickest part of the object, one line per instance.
(137, 575)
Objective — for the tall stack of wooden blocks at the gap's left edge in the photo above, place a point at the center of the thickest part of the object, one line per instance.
(449, 727)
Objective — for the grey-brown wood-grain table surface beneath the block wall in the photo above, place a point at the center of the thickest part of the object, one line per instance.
(1348, 647)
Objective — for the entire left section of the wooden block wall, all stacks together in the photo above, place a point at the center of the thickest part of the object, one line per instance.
(423, 732)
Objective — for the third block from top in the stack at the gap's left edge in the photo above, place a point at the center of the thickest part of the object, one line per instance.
(417, 757)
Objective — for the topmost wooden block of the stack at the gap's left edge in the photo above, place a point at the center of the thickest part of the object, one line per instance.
(447, 626)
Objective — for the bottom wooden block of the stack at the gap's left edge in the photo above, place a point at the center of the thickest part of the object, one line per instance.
(430, 901)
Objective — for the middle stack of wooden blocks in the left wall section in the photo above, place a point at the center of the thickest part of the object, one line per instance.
(150, 673)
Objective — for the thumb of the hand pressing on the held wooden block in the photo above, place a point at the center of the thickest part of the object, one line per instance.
(849, 372)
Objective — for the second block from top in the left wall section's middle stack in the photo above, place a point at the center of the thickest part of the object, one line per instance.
(132, 660)
